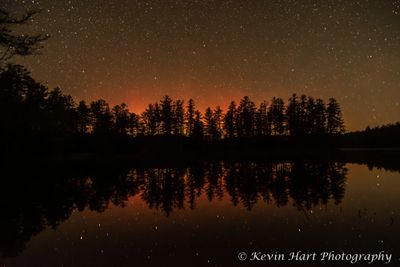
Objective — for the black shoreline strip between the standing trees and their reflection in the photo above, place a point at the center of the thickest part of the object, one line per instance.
(387, 158)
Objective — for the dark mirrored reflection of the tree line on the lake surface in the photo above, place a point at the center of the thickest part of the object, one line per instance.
(34, 199)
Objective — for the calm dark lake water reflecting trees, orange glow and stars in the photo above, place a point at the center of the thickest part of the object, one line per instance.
(198, 215)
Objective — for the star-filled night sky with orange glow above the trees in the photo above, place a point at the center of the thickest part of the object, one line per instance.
(216, 51)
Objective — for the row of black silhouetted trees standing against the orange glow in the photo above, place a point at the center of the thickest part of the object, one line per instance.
(27, 105)
